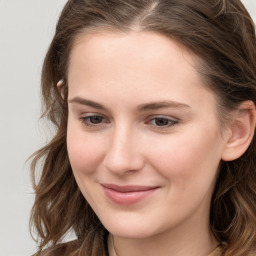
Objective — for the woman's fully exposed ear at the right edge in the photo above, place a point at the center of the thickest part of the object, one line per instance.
(241, 131)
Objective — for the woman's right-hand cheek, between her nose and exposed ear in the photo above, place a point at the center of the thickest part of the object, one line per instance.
(188, 159)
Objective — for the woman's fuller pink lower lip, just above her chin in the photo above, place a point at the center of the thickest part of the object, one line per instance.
(127, 198)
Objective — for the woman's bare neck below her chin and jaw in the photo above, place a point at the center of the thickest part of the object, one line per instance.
(192, 240)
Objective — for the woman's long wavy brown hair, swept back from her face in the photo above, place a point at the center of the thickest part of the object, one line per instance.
(222, 34)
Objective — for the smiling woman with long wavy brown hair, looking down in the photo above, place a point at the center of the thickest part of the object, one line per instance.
(154, 152)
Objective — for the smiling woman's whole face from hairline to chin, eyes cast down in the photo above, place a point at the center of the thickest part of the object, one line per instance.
(143, 138)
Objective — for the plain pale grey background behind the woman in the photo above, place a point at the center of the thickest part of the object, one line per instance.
(26, 28)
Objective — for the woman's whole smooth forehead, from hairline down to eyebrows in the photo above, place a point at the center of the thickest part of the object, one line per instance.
(134, 64)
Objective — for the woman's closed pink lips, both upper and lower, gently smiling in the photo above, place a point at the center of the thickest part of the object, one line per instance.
(127, 195)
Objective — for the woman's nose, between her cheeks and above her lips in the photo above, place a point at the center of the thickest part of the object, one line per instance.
(124, 154)
